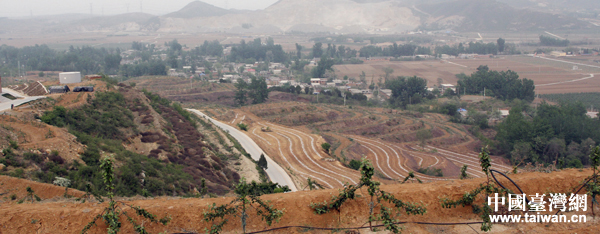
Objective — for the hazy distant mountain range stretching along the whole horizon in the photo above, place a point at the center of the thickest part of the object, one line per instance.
(336, 16)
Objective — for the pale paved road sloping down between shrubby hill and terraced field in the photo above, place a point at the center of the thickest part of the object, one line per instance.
(276, 173)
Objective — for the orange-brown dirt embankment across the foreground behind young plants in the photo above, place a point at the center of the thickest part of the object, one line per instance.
(71, 217)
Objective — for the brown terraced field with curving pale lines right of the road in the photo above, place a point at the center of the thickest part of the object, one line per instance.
(292, 134)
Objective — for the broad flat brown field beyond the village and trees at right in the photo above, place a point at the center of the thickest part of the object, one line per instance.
(550, 75)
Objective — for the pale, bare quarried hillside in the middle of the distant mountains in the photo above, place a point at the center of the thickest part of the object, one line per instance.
(307, 16)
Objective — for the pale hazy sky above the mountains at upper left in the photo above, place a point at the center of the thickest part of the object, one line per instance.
(18, 8)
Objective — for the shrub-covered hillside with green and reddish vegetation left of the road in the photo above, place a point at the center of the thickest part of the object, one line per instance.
(160, 148)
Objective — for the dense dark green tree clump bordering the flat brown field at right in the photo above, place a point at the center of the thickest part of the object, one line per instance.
(504, 85)
